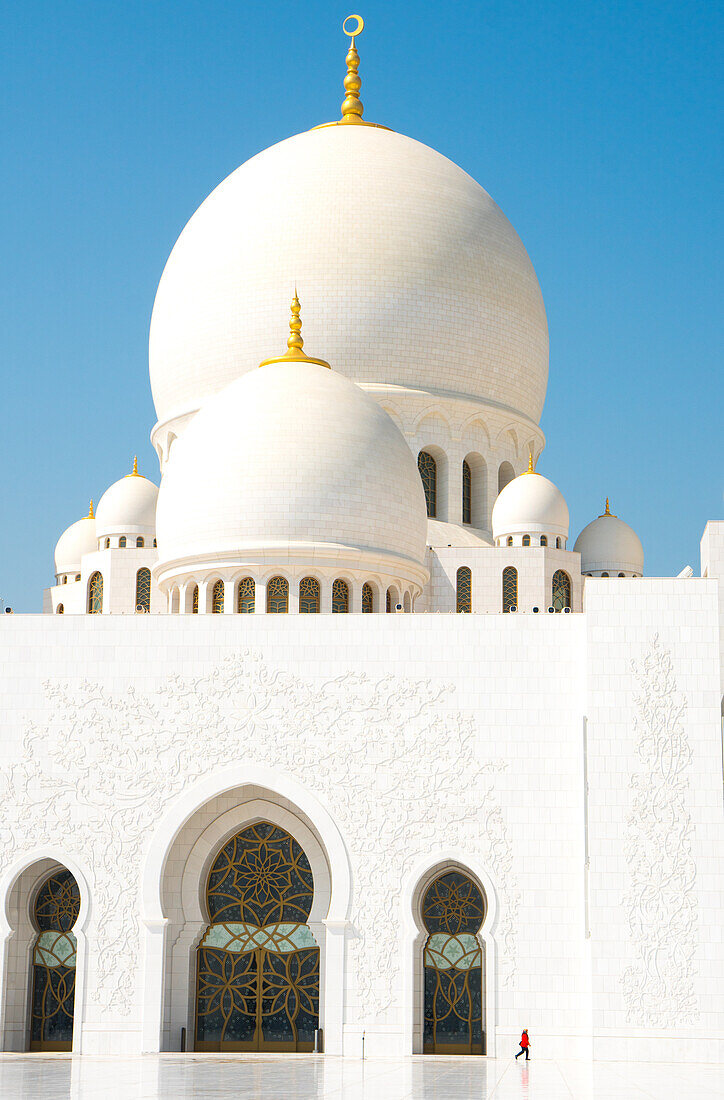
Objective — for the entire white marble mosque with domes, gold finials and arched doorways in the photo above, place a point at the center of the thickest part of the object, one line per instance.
(240, 816)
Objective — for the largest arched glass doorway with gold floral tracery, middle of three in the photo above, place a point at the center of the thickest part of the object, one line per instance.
(258, 964)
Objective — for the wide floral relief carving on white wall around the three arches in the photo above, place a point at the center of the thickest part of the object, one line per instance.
(377, 752)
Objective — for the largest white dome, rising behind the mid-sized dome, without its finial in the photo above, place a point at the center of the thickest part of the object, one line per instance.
(412, 276)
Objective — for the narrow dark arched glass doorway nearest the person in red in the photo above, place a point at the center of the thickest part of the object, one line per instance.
(453, 911)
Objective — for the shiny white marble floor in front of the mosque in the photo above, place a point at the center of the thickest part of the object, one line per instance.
(309, 1077)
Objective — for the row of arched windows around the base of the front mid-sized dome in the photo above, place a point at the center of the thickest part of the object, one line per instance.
(278, 598)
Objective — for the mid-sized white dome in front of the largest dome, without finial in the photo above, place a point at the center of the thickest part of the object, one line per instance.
(292, 464)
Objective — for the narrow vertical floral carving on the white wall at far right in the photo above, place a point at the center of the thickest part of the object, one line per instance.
(662, 901)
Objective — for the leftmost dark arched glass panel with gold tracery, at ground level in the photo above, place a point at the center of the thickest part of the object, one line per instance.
(56, 912)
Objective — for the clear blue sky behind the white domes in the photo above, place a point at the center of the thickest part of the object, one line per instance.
(596, 126)
